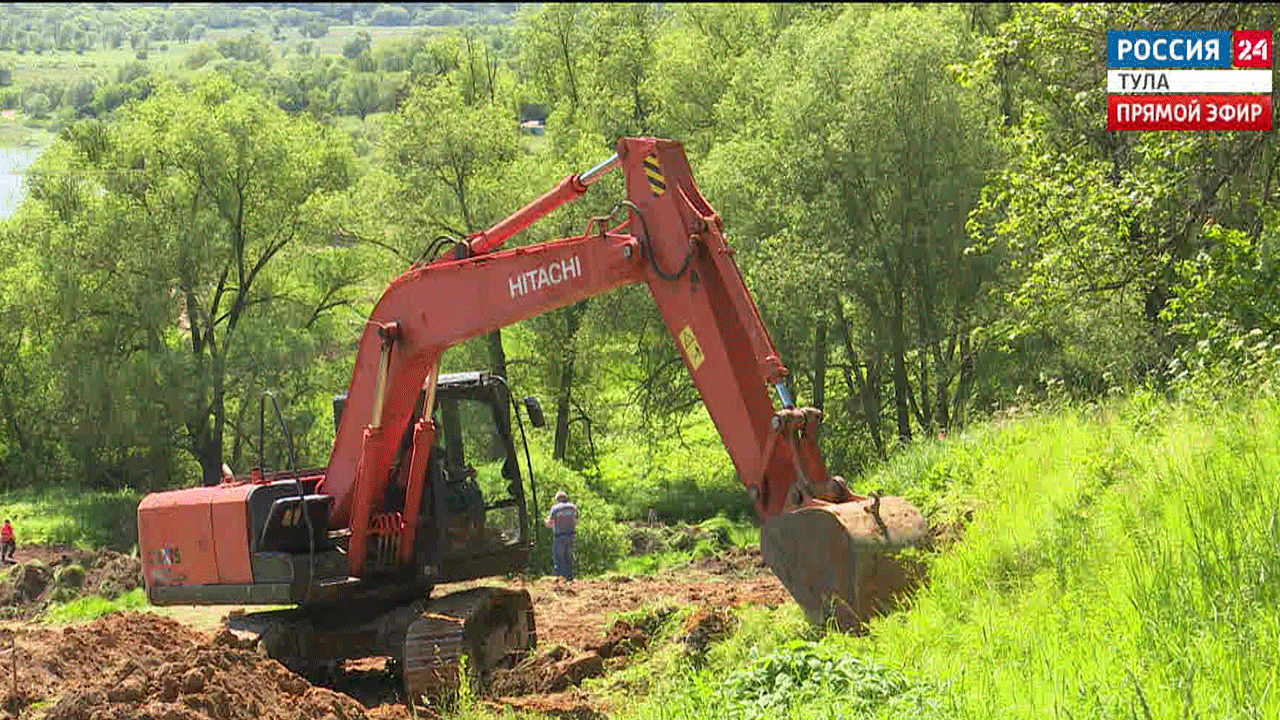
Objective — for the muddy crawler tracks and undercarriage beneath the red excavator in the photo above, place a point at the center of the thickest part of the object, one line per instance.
(491, 627)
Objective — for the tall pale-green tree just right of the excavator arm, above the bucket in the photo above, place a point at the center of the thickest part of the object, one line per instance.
(877, 230)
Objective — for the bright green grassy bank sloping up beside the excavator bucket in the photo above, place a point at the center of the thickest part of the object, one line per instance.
(1122, 562)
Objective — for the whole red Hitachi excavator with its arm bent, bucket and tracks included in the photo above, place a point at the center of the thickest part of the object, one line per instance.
(424, 485)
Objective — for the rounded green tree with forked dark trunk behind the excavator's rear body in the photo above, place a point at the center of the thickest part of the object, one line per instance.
(221, 197)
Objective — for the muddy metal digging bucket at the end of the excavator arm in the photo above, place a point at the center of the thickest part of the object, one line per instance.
(840, 560)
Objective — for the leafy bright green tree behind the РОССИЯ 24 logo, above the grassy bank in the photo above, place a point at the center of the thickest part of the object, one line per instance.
(1096, 225)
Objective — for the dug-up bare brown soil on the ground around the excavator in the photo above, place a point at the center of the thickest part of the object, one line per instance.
(148, 667)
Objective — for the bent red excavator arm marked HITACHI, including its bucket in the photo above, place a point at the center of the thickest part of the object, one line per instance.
(830, 548)
